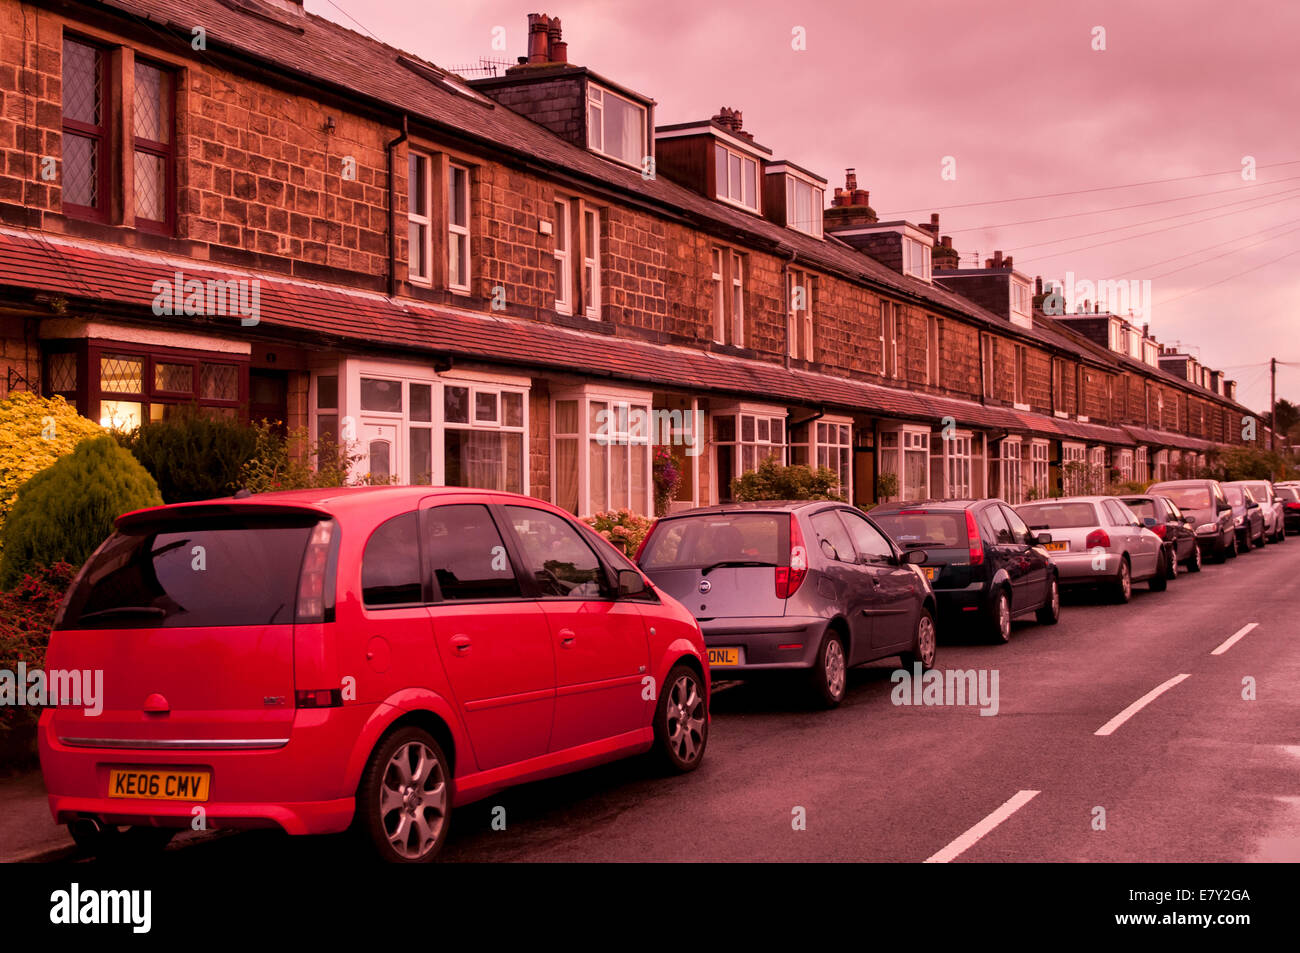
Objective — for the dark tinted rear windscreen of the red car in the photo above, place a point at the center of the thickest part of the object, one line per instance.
(201, 574)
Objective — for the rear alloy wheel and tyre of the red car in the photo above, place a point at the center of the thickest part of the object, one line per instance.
(404, 803)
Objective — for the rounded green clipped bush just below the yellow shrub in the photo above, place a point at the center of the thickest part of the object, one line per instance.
(68, 509)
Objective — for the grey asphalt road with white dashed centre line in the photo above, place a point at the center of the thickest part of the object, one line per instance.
(1198, 774)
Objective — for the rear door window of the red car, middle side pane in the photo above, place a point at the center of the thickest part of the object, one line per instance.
(467, 556)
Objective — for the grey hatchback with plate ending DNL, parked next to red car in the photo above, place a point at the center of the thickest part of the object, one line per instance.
(807, 587)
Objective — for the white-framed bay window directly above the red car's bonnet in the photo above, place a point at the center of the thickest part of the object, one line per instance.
(612, 437)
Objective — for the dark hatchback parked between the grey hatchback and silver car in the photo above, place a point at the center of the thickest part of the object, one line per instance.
(981, 558)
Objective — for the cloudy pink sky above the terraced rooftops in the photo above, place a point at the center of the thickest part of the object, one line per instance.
(1017, 96)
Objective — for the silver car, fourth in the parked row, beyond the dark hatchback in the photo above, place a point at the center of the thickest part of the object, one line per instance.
(1099, 542)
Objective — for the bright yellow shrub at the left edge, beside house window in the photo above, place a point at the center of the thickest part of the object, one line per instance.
(36, 432)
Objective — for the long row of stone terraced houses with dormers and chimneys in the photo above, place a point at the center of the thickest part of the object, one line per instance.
(521, 281)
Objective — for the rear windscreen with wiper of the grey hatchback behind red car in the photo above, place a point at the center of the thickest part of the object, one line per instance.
(712, 539)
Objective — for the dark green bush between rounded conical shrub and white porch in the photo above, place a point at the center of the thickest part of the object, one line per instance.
(193, 456)
